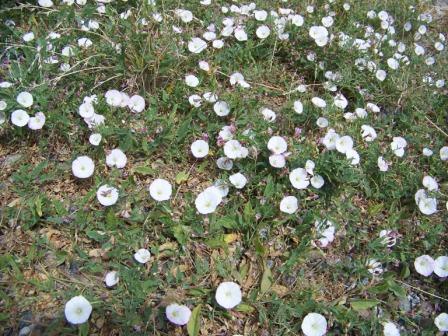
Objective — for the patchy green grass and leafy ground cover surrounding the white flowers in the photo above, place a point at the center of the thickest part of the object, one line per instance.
(57, 241)
